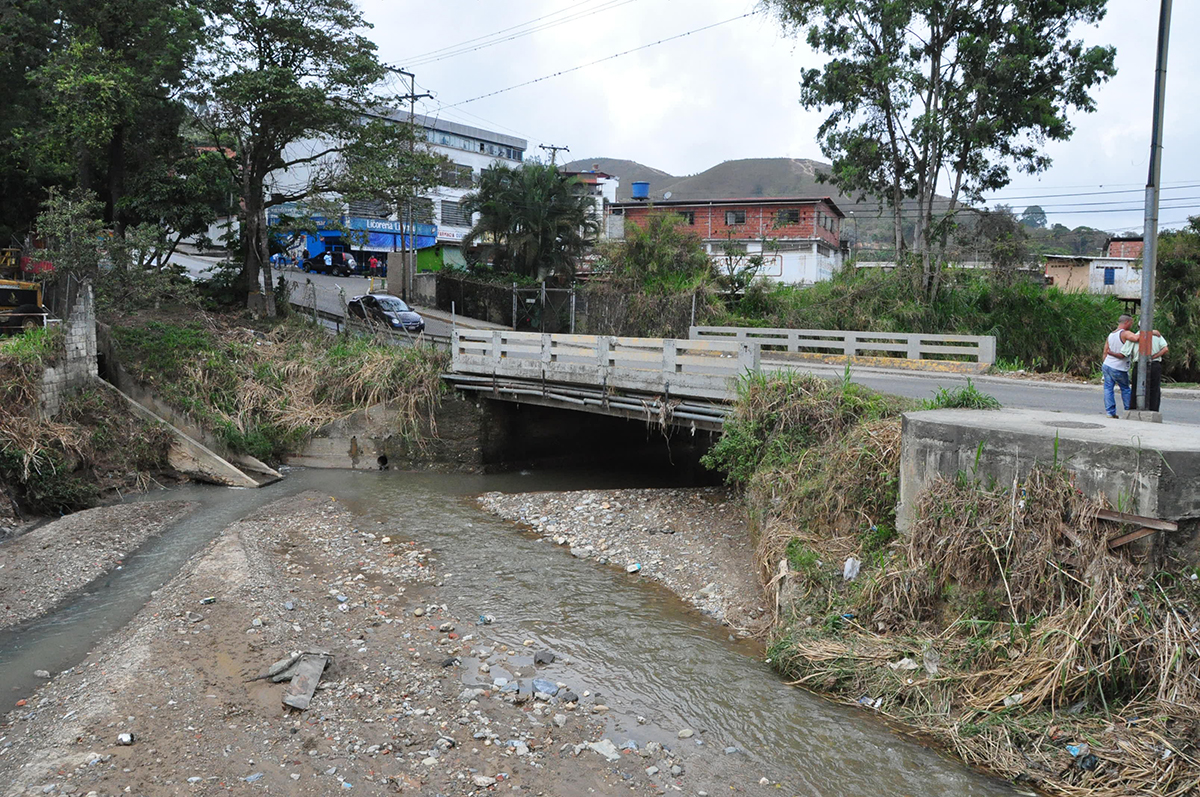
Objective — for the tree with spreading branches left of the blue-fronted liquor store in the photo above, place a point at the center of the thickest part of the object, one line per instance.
(284, 86)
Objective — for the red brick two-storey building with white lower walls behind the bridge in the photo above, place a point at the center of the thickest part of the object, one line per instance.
(799, 238)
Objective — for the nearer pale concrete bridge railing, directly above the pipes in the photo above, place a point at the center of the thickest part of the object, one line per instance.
(699, 369)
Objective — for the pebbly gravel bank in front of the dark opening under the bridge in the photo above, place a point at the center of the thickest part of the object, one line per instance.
(693, 541)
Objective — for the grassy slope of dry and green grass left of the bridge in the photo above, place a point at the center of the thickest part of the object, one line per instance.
(263, 394)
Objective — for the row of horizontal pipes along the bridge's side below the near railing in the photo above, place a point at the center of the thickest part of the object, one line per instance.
(655, 410)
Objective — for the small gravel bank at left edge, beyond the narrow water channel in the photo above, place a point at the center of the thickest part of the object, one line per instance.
(46, 567)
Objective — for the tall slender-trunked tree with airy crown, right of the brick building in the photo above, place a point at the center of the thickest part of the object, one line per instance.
(926, 91)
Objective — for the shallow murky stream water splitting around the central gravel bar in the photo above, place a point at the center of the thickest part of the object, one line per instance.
(661, 666)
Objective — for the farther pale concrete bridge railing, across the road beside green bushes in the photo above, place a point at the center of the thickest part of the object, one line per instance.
(909, 350)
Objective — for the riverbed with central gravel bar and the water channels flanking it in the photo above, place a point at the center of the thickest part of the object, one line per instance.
(376, 567)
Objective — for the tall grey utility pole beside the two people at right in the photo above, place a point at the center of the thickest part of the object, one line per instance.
(1150, 235)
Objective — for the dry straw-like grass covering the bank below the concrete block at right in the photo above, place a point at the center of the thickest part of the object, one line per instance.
(1025, 634)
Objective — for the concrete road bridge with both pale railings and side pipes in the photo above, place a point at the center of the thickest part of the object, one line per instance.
(677, 382)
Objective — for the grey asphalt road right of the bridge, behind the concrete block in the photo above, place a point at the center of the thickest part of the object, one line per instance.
(1179, 406)
